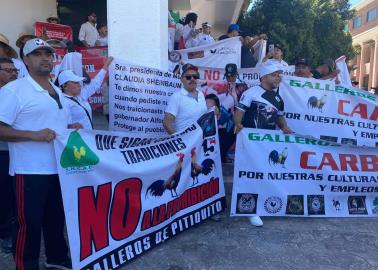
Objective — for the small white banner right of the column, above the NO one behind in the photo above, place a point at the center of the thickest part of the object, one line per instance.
(215, 55)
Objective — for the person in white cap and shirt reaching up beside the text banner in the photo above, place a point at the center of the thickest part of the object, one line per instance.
(76, 96)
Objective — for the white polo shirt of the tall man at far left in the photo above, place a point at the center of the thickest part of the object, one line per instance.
(25, 105)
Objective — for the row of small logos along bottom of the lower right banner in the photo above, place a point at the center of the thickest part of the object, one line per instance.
(295, 205)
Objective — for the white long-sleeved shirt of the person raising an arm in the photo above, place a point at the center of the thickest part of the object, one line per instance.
(77, 112)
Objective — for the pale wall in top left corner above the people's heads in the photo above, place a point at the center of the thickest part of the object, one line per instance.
(17, 16)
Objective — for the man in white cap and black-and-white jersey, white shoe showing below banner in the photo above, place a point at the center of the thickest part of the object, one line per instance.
(262, 107)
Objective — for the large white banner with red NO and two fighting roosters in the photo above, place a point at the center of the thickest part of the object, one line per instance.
(124, 195)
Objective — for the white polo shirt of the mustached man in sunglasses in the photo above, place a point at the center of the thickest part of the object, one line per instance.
(186, 108)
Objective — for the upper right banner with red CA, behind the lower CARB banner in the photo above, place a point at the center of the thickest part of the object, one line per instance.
(329, 111)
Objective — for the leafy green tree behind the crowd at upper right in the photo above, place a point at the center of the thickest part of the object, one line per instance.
(305, 28)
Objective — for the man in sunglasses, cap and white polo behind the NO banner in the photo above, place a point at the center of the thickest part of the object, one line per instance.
(185, 106)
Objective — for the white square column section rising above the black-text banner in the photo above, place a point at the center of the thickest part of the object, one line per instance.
(138, 31)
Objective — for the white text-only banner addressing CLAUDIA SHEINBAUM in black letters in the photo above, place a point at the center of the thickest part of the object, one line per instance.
(138, 97)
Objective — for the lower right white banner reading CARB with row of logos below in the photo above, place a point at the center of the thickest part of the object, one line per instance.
(277, 174)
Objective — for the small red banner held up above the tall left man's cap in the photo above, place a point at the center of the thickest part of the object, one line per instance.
(53, 31)
